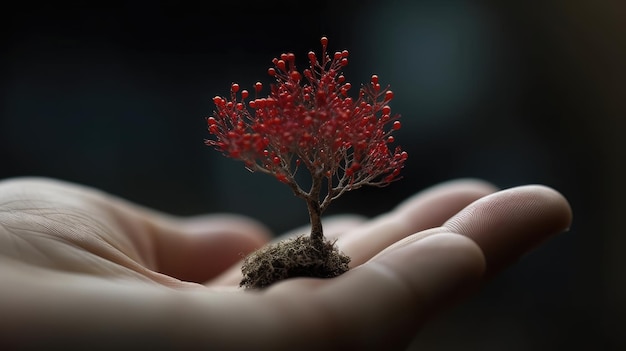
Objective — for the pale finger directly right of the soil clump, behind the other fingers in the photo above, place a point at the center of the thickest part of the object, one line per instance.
(427, 209)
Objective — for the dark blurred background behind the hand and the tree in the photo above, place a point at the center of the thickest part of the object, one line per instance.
(115, 95)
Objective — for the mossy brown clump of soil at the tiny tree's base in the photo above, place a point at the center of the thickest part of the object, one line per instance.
(294, 257)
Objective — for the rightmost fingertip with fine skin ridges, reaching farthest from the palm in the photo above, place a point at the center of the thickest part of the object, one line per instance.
(511, 222)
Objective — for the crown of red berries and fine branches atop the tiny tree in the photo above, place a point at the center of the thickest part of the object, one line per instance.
(309, 120)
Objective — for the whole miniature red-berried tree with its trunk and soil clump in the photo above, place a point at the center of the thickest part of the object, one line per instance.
(308, 123)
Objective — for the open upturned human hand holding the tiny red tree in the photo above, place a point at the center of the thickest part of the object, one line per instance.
(80, 268)
